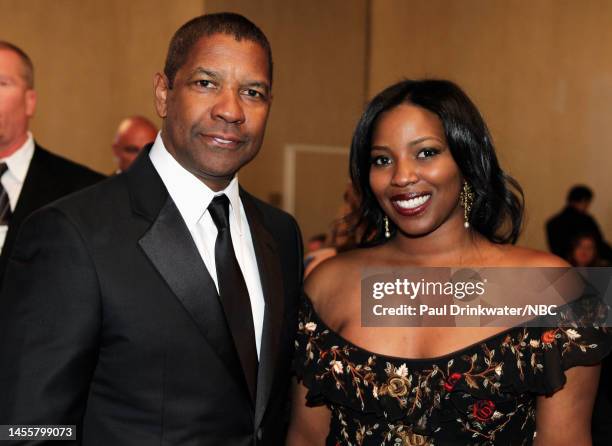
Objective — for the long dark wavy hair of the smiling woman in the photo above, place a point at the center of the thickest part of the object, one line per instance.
(497, 210)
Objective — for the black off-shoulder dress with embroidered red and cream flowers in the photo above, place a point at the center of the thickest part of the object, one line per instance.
(484, 394)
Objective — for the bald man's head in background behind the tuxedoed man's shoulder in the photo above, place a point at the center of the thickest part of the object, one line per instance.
(132, 135)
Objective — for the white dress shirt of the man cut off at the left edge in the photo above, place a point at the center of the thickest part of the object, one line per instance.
(12, 180)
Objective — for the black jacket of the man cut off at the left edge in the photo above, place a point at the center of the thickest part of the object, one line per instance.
(49, 177)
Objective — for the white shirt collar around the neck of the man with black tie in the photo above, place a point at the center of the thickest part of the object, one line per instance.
(191, 195)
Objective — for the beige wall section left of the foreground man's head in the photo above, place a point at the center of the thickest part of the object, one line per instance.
(94, 63)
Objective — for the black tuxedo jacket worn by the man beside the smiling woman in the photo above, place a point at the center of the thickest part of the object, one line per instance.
(109, 320)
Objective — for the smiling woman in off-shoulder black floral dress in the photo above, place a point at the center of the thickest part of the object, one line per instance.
(433, 194)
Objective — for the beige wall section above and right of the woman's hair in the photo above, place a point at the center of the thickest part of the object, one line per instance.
(540, 72)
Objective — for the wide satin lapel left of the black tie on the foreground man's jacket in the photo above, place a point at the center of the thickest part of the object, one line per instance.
(169, 246)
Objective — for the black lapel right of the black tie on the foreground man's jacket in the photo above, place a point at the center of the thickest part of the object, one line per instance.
(271, 278)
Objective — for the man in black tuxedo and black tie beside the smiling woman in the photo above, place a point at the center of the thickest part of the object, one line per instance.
(159, 306)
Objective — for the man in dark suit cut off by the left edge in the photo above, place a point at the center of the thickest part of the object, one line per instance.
(30, 176)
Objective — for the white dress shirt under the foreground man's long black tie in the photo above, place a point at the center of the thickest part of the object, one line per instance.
(192, 197)
